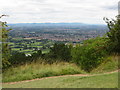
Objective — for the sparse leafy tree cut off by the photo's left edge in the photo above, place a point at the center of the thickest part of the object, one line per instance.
(5, 47)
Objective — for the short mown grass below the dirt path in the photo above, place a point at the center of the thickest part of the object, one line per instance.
(99, 81)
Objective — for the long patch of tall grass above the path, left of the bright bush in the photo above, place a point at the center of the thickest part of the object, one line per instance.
(39, 70)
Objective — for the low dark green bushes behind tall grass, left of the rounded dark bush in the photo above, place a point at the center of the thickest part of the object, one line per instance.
(18, 58)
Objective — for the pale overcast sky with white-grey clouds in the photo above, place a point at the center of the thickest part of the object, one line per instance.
(57, 11)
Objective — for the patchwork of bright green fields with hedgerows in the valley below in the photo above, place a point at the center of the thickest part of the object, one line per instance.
(18, 44)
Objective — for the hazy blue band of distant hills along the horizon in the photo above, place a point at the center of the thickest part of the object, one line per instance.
(56, 26)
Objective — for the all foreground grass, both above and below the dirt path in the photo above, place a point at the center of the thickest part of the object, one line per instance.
(36, 70)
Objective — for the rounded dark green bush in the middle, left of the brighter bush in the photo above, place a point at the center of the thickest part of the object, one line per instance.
(60, 52)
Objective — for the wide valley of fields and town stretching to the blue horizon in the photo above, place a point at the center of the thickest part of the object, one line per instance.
(29, 38)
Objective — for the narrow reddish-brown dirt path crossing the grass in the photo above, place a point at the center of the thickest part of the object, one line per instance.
(60, 76)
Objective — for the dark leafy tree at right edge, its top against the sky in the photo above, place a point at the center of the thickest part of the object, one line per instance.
(113, 34)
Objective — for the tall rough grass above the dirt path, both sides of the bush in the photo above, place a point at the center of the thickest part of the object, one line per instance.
(39, 69)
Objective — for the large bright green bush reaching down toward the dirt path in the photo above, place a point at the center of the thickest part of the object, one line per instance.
(90, 54)
